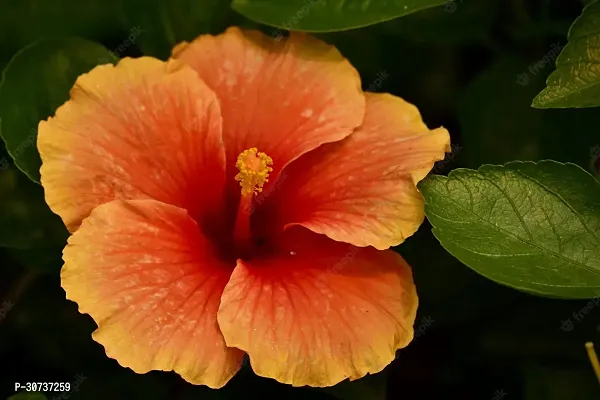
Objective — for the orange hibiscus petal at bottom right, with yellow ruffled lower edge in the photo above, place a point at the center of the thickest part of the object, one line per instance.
(315, 311)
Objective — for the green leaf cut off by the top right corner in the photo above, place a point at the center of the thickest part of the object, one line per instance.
(576, 81)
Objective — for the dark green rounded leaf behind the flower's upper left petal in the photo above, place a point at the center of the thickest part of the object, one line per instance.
(34, 84)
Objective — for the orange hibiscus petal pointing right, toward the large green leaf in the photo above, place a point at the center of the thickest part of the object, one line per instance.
(361, 190)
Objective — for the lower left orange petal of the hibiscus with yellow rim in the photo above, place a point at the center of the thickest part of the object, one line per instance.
(152, 283)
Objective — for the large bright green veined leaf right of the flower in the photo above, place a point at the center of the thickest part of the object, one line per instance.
(531, 226)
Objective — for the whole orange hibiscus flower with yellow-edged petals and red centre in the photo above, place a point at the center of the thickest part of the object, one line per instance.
(182, 259)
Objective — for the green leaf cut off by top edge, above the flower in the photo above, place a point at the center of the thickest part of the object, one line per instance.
(328, 15)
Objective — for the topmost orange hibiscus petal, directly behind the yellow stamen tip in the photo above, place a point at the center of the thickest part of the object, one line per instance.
(284, 97)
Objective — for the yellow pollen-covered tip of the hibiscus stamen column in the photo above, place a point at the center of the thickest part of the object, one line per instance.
(254, 170)
